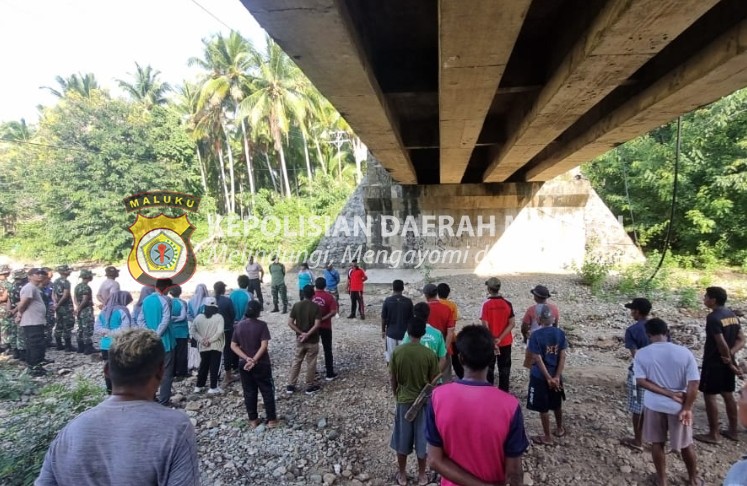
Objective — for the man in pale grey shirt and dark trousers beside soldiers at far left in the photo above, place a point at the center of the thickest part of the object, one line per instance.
(32, 318)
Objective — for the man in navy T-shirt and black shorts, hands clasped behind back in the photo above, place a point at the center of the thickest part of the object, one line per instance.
(547, 347)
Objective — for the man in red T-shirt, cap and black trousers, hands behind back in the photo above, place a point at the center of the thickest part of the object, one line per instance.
(498, 316)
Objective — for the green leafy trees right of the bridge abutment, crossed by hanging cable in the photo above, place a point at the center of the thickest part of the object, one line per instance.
(710, 223)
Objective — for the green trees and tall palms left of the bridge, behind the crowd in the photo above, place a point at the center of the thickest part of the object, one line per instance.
(253, 138)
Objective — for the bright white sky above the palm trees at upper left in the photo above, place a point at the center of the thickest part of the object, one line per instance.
(41, 39)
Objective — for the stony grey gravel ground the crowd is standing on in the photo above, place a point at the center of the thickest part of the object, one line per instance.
(341, 434)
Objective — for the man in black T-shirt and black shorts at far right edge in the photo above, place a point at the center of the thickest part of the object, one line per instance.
(724, 338)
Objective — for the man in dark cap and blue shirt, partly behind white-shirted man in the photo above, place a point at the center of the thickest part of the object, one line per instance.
(636, 339)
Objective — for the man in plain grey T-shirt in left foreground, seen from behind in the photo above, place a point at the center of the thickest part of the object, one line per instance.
(128, 439)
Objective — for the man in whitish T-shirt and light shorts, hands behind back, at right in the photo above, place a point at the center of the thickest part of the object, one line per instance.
(669, 374)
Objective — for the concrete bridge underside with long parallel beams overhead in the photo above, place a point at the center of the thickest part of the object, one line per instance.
(494, 91)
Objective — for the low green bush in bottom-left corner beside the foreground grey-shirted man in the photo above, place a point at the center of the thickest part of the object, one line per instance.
(29, 430)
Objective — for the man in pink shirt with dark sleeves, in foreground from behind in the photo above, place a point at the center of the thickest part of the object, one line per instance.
(475, 432)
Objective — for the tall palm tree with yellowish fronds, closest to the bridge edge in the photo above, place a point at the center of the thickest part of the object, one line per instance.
(278, 99)
